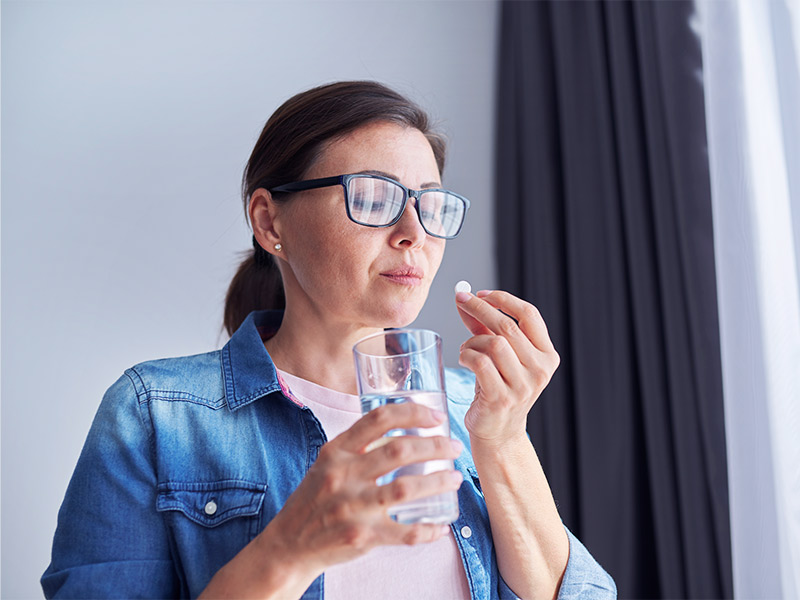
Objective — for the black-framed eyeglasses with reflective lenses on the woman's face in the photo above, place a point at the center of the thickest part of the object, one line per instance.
(377, 201)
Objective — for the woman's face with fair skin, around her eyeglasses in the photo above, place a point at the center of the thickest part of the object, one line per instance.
(362, 276)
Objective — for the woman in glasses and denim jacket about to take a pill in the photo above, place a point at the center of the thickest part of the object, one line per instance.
(214, 475)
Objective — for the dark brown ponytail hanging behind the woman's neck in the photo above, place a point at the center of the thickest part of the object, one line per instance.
(257, 285)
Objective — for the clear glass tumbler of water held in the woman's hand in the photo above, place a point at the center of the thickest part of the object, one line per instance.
(405, 365)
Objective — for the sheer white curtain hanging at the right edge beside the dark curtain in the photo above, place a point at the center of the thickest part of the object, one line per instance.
(751, 52)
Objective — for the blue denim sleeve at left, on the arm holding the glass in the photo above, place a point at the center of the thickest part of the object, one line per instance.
(110, 542)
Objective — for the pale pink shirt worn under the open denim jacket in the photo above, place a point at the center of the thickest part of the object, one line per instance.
(423, 571)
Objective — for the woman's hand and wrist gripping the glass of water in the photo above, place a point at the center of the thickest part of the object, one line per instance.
(338, 512)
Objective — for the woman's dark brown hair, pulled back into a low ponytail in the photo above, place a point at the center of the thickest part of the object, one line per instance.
(288, 146)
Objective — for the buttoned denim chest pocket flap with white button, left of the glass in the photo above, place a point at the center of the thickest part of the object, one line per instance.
(212, 503)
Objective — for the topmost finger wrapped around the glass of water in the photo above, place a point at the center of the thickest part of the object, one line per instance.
(379, 421)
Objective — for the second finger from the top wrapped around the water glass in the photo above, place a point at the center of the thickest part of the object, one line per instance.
(396, 452)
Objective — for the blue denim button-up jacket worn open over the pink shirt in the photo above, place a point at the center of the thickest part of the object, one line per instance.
(189, 458)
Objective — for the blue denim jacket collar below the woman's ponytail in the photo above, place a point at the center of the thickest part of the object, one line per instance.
(247, 368)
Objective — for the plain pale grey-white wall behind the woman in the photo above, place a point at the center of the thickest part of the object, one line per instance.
(125, 129)
